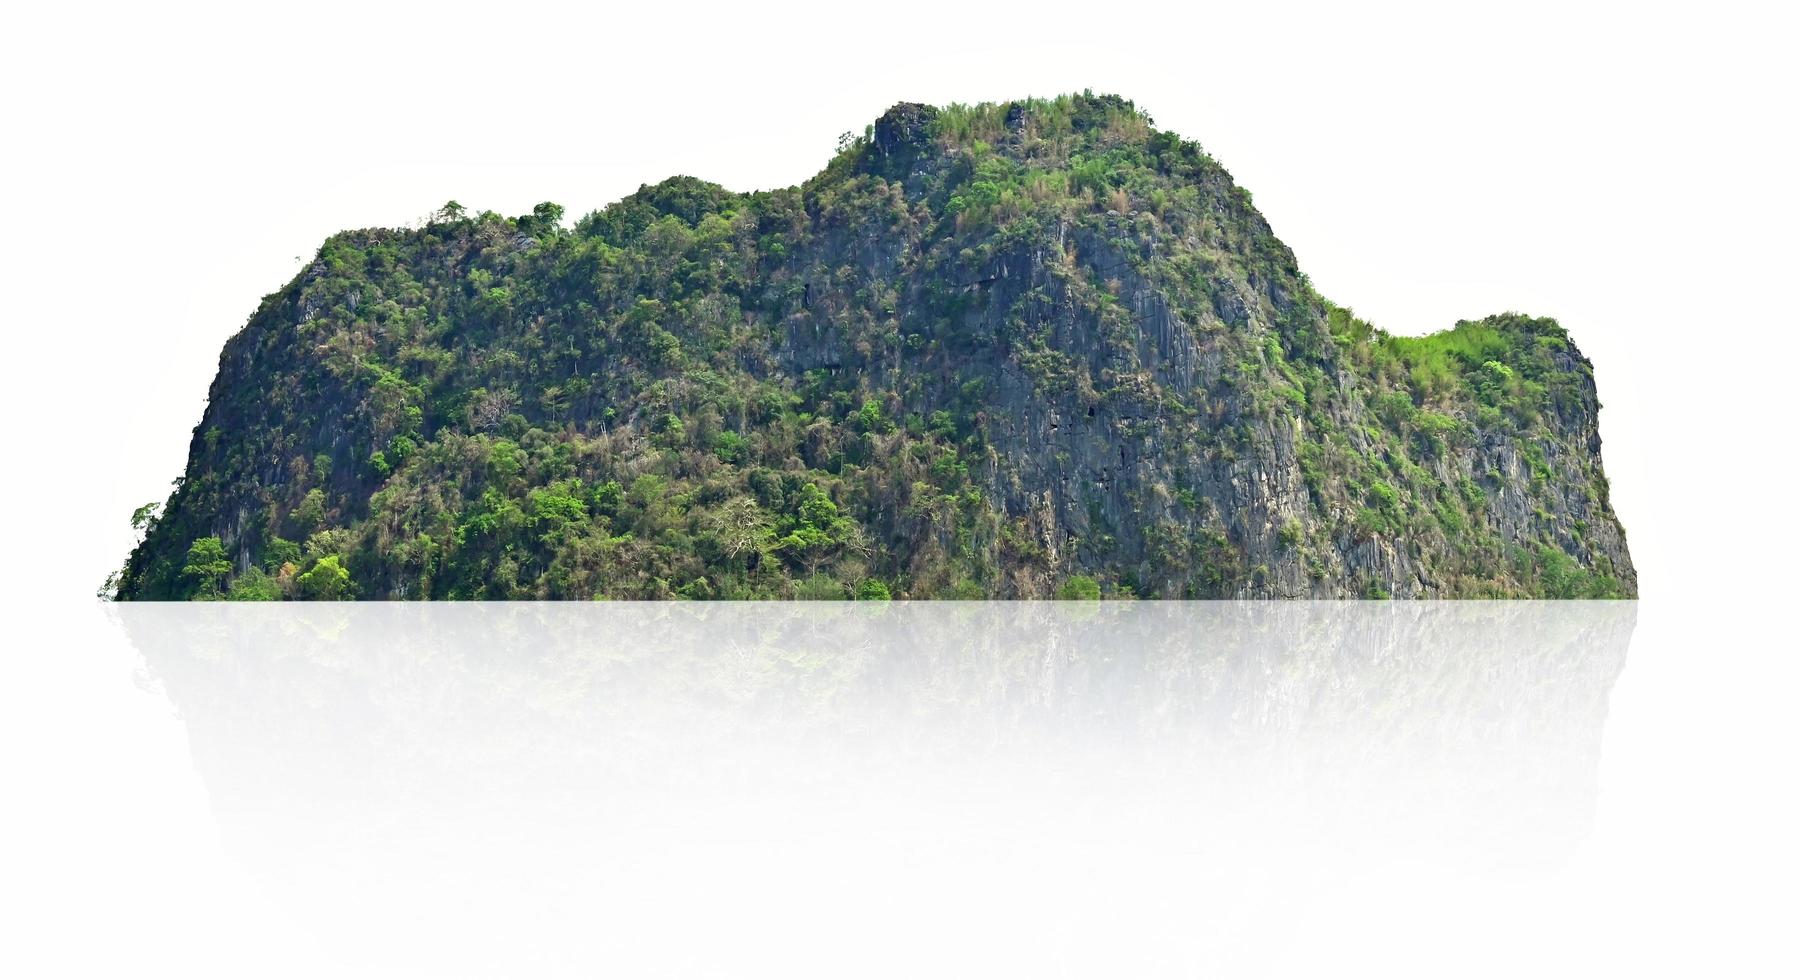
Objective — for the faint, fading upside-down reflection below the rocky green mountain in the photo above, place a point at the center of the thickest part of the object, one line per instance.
(528, 752)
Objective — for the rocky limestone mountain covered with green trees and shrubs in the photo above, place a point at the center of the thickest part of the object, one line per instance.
(1016, 350)
